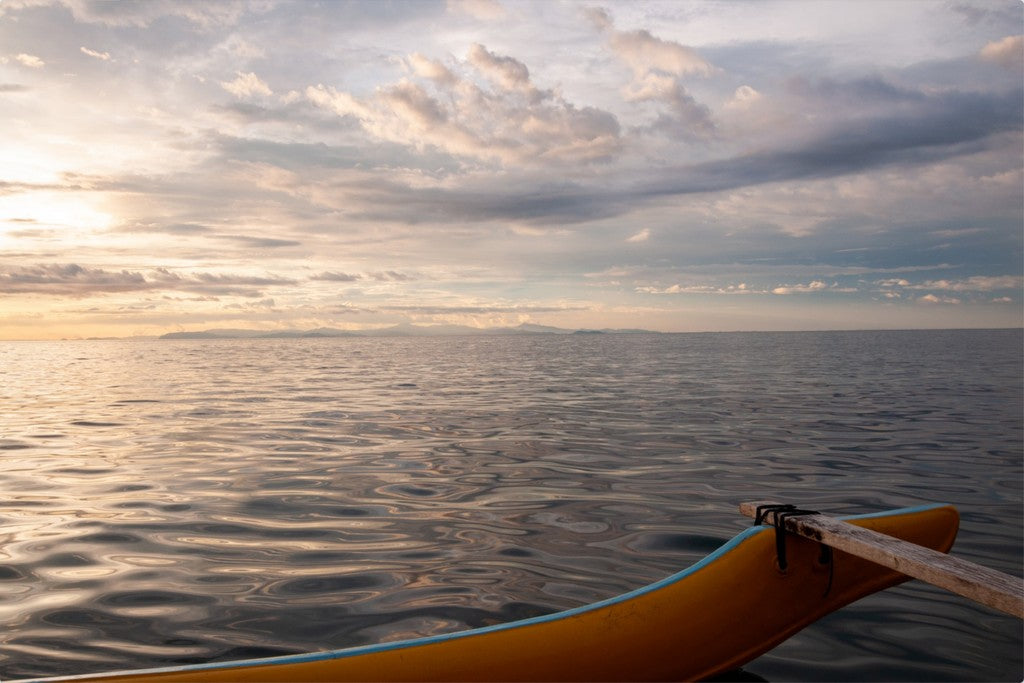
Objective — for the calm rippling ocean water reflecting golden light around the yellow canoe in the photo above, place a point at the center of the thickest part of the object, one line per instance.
(170, 502)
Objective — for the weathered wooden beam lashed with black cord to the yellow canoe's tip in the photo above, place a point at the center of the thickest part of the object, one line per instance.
(980, 584)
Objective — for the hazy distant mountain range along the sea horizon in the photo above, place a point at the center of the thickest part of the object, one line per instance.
(406, 330)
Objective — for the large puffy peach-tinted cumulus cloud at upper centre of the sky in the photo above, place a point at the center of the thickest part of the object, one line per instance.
(516, 124)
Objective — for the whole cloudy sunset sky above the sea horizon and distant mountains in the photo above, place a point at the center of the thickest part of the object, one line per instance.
(675, 166)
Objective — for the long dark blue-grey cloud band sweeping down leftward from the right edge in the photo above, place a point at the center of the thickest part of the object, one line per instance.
(897, 127)
